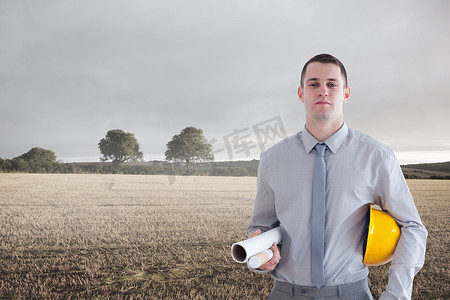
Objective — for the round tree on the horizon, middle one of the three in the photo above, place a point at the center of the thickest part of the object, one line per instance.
(119, 146)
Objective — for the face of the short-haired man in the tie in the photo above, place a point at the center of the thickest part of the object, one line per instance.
(324, 93)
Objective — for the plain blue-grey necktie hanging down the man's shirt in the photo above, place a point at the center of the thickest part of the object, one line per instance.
(318, 217)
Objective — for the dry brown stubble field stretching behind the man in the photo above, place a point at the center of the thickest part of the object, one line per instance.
(159, 237)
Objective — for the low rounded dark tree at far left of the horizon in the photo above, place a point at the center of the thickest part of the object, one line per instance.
(38, 160)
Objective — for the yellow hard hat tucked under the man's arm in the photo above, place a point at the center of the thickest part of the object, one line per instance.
(381, 238)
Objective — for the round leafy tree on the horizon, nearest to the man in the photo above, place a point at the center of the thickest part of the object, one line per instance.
(189, 146)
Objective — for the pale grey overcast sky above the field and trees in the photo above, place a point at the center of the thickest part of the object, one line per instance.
(70, 70)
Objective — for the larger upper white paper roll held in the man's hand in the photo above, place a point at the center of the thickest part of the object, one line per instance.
(242, 251)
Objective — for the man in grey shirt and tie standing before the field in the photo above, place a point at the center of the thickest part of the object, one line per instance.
(359, 171)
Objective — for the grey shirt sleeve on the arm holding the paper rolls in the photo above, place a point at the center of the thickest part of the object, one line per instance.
(264, 215)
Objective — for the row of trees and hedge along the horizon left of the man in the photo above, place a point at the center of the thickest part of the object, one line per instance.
(188, 153)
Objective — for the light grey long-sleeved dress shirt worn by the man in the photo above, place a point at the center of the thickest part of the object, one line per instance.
(360, 171)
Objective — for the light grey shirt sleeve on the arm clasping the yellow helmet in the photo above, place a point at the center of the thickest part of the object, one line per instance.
(409, 254)
